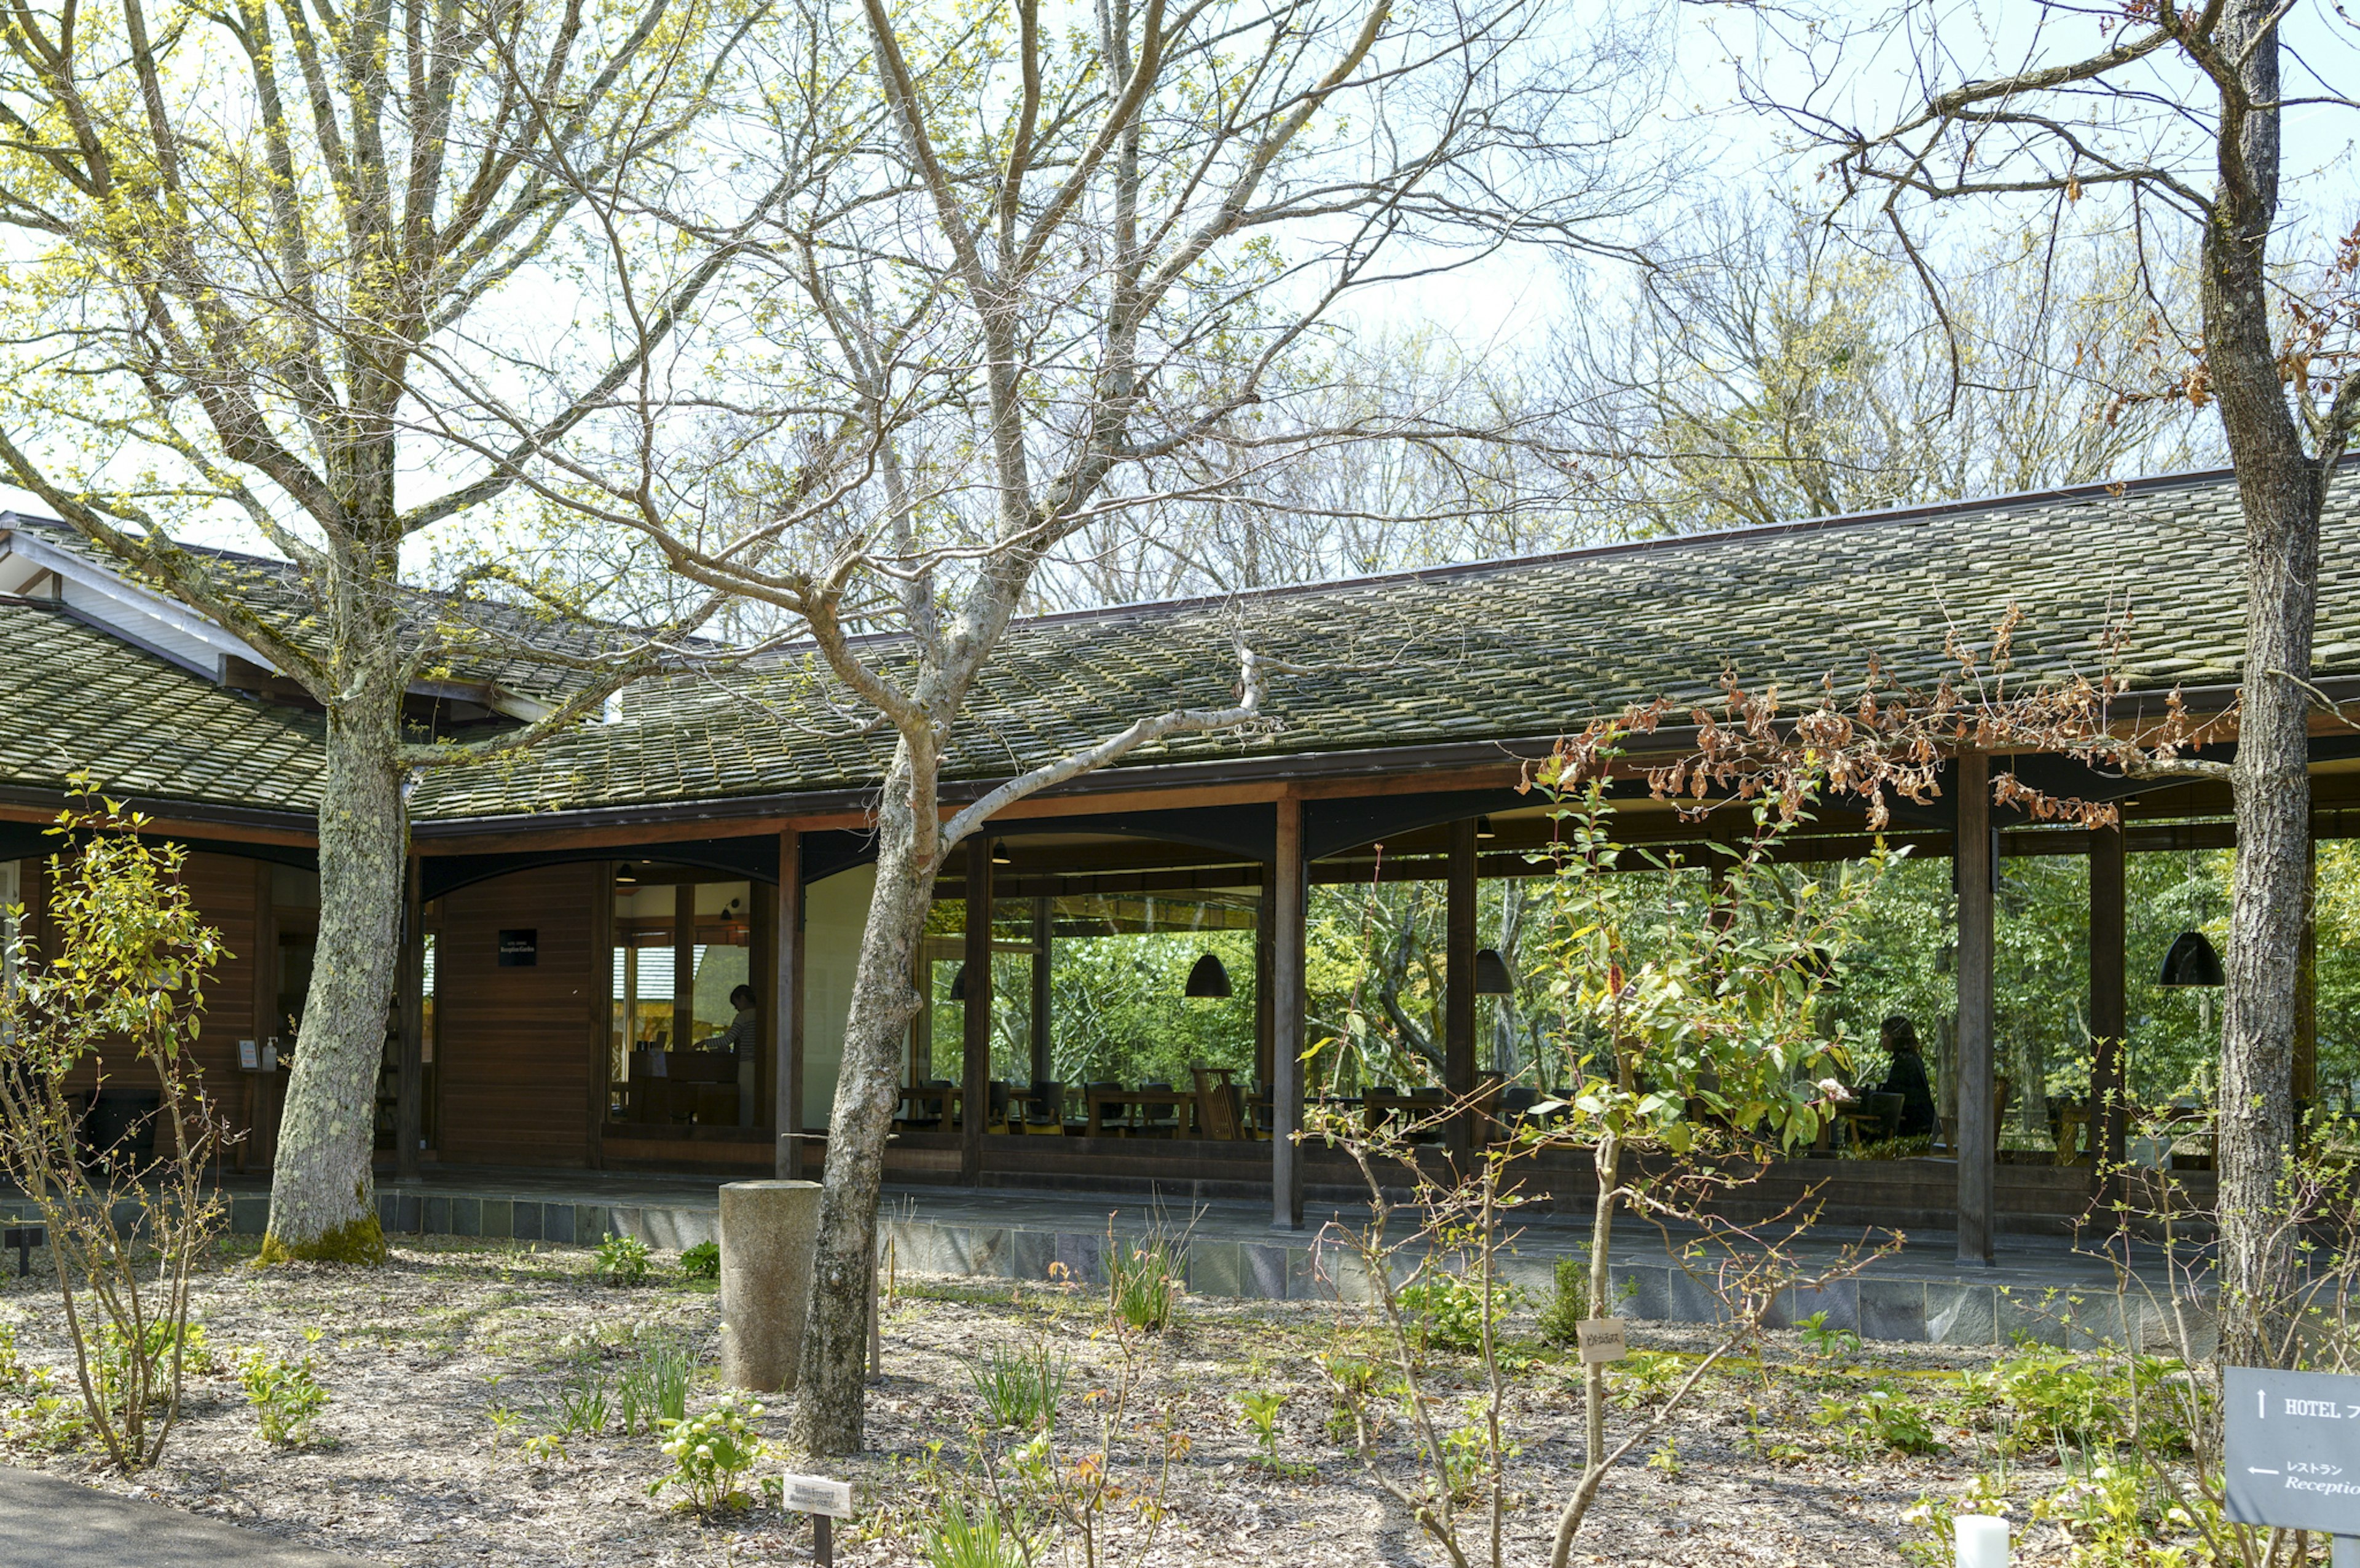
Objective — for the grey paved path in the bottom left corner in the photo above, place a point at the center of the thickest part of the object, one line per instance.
(58, 1524)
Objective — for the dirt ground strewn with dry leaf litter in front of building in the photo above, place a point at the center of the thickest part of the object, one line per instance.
(447, 1362)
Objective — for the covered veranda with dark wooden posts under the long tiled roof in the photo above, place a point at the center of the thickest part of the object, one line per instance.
(1221, 878)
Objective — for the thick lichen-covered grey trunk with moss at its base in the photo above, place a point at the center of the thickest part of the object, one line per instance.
(324, 1201)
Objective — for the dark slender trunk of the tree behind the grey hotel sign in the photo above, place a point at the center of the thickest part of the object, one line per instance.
(2281, 492)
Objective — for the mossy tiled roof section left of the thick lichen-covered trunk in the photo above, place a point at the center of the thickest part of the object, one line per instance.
(81, 699)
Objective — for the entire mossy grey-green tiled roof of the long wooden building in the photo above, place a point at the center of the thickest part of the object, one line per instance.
(1512, 650)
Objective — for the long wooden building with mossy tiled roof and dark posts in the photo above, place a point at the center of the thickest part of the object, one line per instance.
(584, 914)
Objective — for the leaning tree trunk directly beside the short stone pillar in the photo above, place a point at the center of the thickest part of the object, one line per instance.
(832, 1381)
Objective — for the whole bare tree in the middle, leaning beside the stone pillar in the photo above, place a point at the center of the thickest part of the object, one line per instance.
(1040, 275)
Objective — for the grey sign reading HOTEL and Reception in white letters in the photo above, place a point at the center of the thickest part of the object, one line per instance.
(2293, 1449)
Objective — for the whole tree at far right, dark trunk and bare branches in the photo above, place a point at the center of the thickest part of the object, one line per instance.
(2179, 119)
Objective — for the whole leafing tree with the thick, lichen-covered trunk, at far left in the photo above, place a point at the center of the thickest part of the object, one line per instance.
(296, 263)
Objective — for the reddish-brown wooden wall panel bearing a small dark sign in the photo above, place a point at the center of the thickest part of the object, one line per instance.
(516, 1050)
